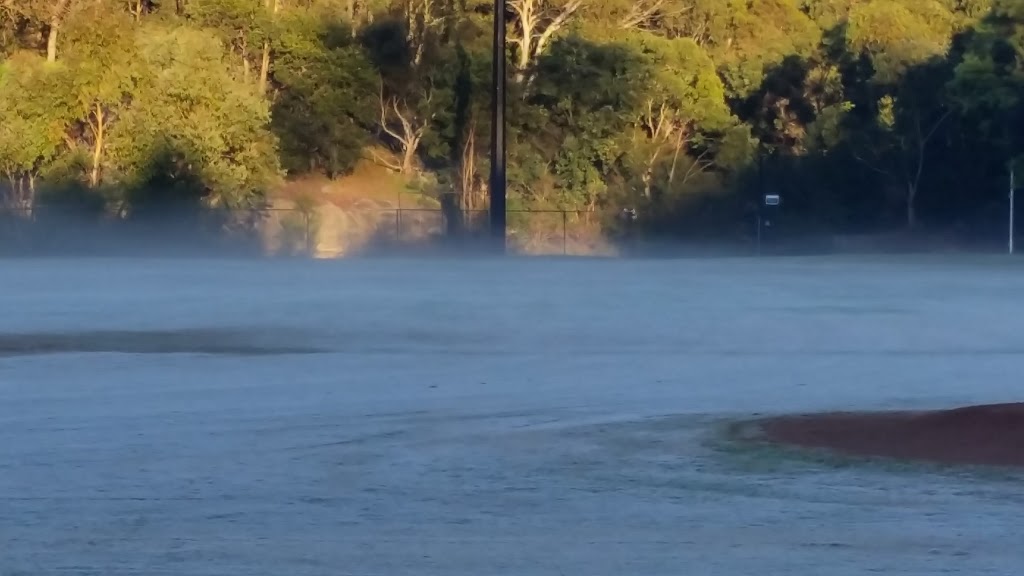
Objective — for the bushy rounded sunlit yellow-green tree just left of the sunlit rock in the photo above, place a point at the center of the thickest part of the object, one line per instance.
(189, 102)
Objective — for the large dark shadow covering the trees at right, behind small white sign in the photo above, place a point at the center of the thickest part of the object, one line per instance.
(860, 185)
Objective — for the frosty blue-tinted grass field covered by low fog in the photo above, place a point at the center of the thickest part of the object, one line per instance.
(471, 418)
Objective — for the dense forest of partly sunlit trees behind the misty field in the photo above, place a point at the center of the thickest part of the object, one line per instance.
(866, 115)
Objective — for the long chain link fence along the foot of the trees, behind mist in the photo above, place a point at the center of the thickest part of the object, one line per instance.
(318, 232)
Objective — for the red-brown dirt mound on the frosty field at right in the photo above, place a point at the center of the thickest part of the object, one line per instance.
(991, 435)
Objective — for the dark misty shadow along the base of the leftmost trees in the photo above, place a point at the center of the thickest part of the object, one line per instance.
(165, 214)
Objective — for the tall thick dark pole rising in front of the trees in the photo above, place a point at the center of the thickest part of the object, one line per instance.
(498, 179)
